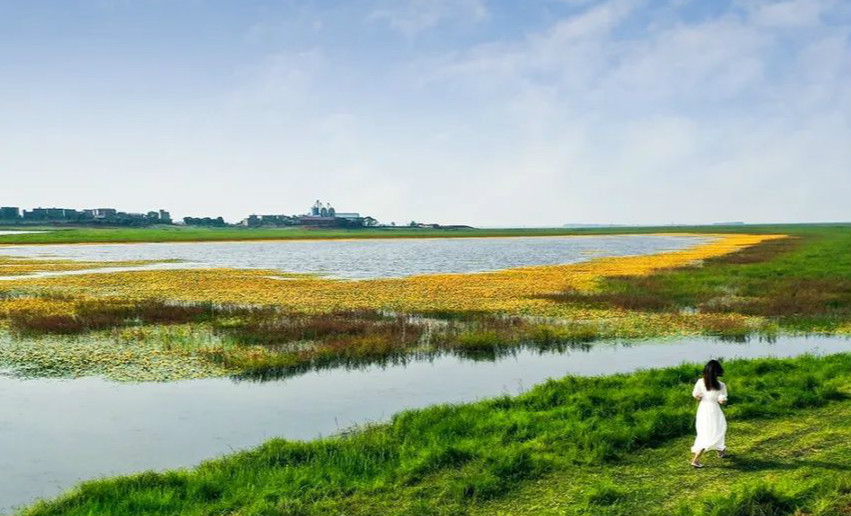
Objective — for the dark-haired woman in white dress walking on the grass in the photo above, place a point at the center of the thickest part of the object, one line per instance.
(710, 422)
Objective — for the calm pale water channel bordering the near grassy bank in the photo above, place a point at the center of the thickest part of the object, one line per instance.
(54, 433)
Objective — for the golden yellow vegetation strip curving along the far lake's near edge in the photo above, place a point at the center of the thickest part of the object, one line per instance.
(510, 290)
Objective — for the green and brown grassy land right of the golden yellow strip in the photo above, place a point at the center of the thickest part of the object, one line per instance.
(802, 283)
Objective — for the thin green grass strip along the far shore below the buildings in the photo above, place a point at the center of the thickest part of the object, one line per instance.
(66, 235)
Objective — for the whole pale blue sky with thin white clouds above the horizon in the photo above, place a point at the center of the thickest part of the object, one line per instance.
(490, 113)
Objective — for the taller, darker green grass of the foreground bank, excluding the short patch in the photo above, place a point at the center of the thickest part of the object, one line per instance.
(457, 459)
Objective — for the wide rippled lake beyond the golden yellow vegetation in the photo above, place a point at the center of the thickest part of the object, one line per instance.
(367, 258)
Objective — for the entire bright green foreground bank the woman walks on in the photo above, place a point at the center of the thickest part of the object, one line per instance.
(572, 446)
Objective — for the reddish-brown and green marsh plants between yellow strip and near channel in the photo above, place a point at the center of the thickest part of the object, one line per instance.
(131, 340)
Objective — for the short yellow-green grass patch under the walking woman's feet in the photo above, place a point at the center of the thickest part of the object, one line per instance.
(793, 465)
